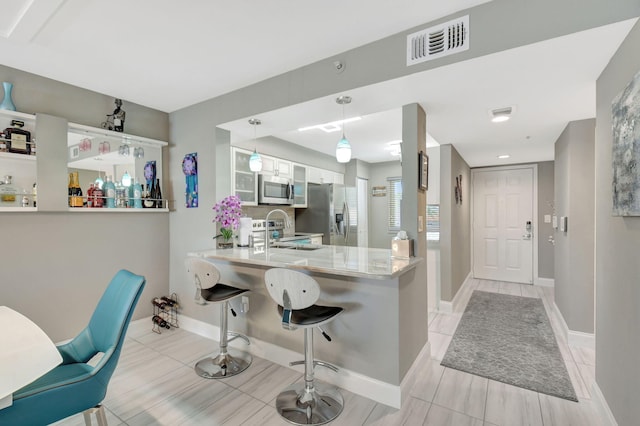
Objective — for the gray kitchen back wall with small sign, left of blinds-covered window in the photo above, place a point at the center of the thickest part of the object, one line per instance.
(379, 235)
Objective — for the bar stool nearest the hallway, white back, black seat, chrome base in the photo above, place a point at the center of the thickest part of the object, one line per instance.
(295, 293)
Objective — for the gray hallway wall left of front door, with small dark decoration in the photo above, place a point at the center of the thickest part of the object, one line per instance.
(455, 225)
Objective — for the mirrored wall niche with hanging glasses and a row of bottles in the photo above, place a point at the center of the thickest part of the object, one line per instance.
(125, 160)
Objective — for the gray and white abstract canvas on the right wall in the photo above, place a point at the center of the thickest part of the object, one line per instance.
(625, 121)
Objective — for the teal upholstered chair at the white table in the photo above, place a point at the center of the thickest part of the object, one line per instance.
(75, 386)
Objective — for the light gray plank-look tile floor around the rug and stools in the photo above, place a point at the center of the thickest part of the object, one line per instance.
(154, 384)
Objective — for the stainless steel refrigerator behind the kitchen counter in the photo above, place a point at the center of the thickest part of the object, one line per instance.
(332, 210)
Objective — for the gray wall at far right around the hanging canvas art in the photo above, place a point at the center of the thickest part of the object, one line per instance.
(617, 248)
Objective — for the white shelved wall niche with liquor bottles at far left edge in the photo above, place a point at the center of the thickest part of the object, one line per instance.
(18, 169)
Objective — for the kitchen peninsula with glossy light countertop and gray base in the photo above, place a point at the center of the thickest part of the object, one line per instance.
(375, 341)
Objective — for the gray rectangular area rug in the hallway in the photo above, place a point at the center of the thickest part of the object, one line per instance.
(509, 339)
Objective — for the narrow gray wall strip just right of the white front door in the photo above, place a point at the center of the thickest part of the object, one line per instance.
(545, 207)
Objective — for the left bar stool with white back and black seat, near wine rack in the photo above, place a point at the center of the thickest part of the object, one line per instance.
(206, 278)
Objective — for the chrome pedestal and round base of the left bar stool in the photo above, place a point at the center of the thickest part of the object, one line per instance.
(228, 362)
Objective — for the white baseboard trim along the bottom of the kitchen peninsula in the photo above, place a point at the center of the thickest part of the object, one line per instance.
(377, 390)
